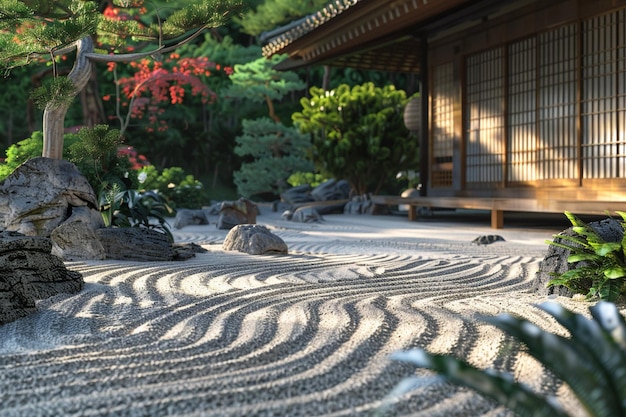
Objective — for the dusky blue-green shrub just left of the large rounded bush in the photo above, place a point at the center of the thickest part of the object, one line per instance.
(274, 151)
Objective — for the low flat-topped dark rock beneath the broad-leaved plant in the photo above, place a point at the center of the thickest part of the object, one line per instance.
(135, 244)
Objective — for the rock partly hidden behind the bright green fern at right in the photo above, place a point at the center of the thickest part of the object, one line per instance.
(555, 260)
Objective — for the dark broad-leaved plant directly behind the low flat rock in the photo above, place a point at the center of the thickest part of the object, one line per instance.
(131, 208)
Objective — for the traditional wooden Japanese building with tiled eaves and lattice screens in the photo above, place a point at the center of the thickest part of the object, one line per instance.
(523, 104)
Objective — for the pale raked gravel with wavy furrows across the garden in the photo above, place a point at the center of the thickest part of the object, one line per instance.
(303, 334)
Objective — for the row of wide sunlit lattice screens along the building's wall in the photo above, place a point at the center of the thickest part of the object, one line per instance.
(549, 107)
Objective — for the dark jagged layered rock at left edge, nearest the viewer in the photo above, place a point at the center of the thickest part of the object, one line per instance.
(29, 272)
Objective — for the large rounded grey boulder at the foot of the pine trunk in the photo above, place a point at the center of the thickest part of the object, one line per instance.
(41, 194)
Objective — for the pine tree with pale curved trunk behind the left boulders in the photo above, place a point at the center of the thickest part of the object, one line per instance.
(31, 31)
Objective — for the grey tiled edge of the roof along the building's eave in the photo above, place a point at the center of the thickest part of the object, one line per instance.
(279, 38)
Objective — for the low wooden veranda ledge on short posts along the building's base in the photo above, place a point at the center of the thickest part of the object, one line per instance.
(498, 206)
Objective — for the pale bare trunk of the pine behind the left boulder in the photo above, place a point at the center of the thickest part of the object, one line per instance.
(54, 116)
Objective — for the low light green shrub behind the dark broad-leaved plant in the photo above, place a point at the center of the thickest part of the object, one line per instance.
(179, 189)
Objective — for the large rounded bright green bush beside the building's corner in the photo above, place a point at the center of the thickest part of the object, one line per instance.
(358, 134)
